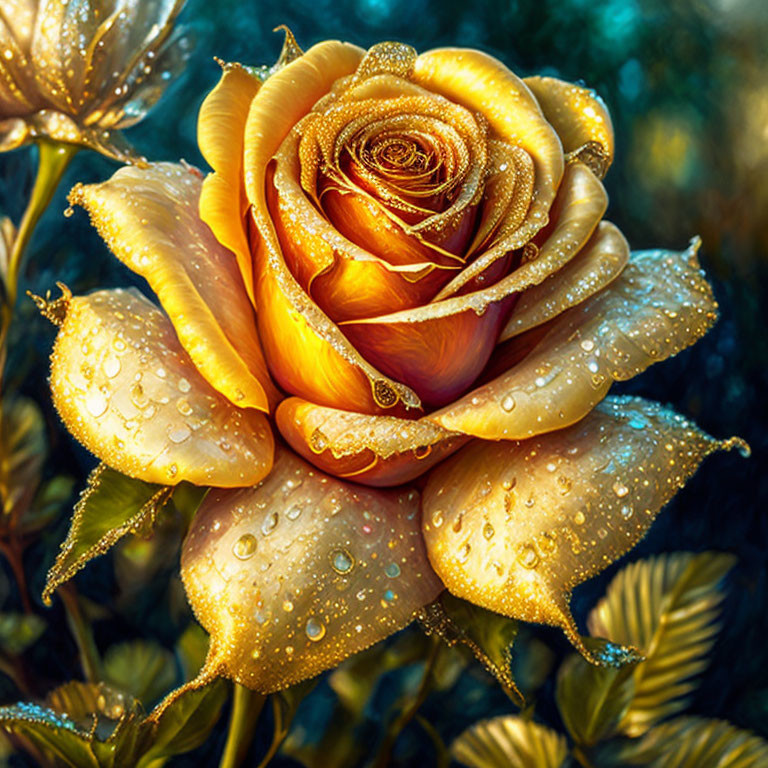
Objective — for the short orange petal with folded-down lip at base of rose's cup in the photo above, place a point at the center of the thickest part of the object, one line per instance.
(374, 450)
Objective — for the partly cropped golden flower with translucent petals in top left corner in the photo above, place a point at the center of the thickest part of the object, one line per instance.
(78, 72)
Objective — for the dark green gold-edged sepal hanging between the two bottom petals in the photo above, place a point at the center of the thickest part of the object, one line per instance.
(488, 635)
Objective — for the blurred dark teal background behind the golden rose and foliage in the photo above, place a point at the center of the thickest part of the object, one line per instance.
(687, 86)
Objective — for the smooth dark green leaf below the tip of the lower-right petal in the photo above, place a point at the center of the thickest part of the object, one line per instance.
(593, 700)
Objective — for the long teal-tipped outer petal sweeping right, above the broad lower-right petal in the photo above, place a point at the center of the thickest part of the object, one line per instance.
(659, 305)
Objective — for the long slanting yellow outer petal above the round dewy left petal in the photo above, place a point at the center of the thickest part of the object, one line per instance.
(149, 219)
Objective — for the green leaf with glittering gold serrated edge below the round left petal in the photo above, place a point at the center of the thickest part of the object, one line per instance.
(111, 506)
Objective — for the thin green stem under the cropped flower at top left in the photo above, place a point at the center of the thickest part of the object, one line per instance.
(53, 159)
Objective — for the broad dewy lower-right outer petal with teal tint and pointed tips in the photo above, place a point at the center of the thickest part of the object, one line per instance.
(513, 527)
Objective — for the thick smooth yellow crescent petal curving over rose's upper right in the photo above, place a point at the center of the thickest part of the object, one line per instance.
(483, 84)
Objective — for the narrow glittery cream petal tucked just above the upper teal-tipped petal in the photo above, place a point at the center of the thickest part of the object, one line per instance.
(598, 263)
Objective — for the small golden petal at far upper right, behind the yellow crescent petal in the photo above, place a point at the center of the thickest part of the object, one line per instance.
(580, 118)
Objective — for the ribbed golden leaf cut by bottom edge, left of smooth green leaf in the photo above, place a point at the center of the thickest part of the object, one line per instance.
(510, 742)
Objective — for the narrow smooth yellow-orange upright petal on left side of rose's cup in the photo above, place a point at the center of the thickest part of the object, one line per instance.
(221, 135)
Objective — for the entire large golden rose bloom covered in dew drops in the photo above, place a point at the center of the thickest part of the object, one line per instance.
(389, 318)
